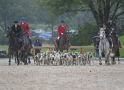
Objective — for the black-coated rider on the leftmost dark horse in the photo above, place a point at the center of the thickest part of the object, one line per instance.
(17, 32)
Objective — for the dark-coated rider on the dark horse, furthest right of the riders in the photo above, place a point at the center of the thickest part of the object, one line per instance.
(109, 25)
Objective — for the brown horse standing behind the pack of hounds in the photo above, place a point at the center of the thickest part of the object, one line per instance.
(63, 42)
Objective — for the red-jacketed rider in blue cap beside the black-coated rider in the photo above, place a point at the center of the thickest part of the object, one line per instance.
(25, 27)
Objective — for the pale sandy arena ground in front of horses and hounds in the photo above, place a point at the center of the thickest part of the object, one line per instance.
(33, 77)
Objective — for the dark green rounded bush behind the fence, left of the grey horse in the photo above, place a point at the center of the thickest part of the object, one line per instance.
(84, 36)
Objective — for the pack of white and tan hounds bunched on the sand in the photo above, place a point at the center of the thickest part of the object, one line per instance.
(66, 59)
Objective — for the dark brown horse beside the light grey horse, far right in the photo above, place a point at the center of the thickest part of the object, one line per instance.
(115, 49)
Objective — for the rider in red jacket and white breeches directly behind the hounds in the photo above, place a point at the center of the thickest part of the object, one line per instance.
(61, 29)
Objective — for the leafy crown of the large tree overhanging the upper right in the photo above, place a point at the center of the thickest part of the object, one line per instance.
(101, 9)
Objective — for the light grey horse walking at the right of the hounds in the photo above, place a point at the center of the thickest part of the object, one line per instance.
(104, 47)
